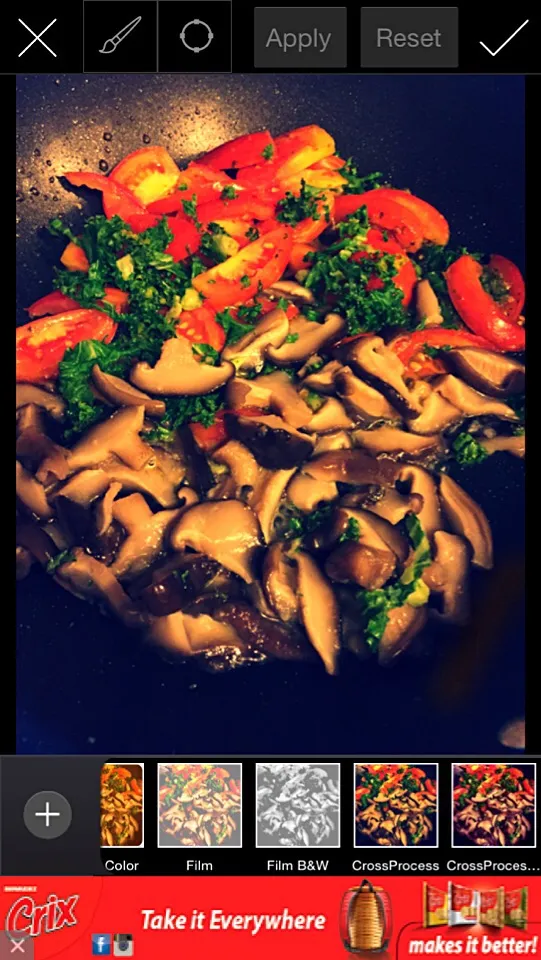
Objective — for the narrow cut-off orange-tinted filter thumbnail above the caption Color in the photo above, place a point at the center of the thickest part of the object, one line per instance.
(121, 805)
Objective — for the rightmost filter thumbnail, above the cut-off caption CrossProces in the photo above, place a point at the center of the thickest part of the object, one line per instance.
(493, 804)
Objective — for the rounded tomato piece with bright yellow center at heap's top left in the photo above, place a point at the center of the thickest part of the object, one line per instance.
(149, 174)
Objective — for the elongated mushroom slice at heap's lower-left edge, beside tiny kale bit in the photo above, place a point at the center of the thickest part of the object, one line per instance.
(88, 578)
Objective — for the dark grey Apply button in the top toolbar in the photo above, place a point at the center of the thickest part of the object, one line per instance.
(300, 37)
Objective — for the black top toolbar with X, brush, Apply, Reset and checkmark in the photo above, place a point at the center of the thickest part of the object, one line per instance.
(219, 36)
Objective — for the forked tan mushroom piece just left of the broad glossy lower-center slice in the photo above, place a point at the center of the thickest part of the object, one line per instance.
(146, 534)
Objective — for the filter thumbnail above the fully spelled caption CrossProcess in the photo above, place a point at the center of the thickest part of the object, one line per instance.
(396, 804)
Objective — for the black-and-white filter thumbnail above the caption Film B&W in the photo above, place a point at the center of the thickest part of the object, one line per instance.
(298, 805)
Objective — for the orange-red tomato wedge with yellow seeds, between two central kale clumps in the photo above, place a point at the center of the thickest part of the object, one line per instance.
(256, 266)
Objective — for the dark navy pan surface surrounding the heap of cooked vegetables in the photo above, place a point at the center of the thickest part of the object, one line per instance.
(86, 685)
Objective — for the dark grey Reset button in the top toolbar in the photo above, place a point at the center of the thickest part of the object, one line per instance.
(405, 37)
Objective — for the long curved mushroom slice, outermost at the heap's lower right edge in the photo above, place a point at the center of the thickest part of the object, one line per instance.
(467, 520)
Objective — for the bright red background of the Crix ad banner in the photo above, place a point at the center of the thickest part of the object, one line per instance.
(114, 905)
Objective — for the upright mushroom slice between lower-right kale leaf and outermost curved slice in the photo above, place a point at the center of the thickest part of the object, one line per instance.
(448, 576)
